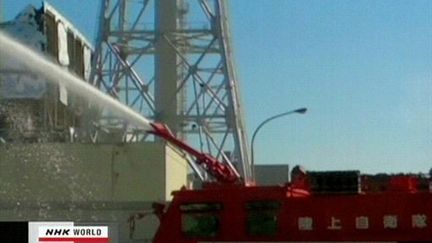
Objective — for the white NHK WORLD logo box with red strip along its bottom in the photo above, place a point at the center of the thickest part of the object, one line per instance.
(75, 234)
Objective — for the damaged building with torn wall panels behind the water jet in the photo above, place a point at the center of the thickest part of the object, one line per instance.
(31, 110)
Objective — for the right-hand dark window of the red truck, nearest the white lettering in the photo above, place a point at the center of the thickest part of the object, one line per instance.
(262, 218)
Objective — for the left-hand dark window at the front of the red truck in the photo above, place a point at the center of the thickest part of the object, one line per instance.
(200, 220)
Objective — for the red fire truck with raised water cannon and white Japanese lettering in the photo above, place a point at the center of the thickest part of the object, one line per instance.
(338, 206)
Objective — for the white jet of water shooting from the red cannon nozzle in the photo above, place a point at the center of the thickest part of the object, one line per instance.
(12, 50)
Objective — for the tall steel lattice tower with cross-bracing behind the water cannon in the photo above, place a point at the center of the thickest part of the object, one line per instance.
(171, 60)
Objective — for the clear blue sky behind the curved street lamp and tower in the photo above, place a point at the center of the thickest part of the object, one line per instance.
(363, 69)
